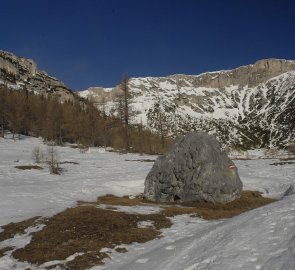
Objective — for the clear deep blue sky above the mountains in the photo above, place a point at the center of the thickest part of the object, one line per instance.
(93, 43)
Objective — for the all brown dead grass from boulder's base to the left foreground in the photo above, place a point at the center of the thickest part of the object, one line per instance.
(86, 229)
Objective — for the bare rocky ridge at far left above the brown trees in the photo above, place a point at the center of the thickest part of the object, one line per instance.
(18, 73)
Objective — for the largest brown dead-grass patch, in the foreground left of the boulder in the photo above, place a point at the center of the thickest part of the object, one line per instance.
(87, 229)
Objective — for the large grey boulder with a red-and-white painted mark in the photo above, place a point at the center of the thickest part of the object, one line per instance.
(195, 169)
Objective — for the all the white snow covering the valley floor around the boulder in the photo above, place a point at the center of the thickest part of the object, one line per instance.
(263, 238)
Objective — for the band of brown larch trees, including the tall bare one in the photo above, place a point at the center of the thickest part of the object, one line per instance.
(77, 121)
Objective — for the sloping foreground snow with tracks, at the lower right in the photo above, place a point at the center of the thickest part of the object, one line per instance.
(261, 239)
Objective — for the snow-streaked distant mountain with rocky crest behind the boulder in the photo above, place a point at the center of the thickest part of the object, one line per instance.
(250, 106)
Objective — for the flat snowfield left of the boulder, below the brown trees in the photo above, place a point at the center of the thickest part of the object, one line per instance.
(27, 193)
